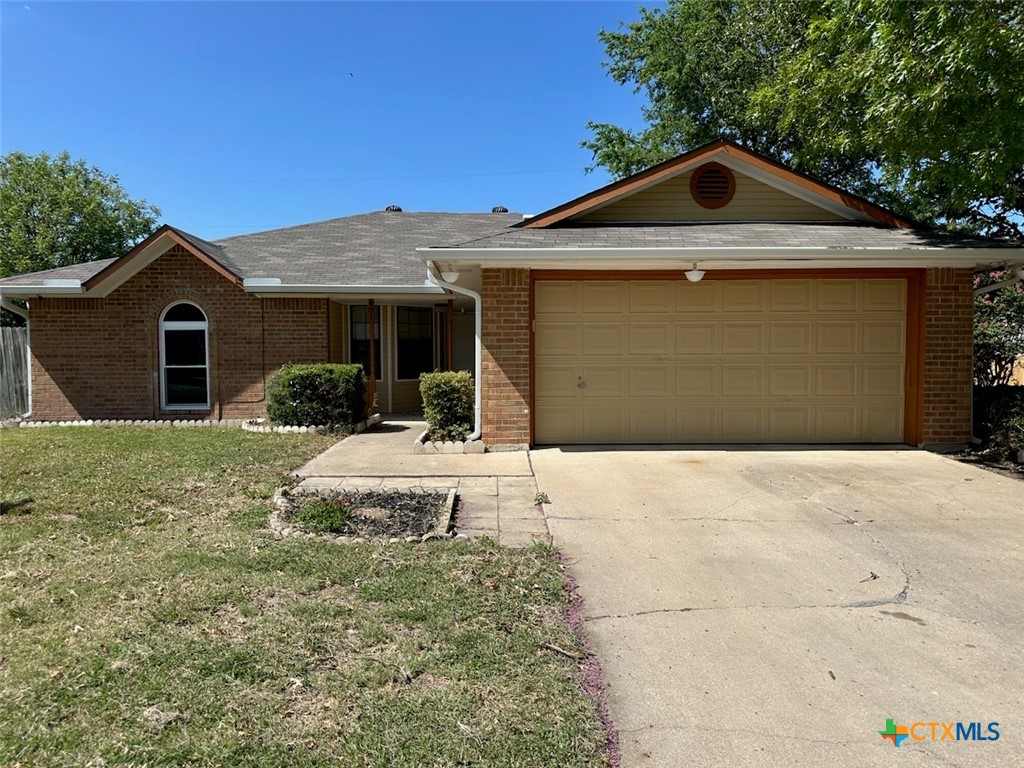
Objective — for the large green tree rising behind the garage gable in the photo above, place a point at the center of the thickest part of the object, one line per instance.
(914, 104)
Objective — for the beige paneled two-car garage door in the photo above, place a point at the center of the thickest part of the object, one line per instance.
(746, 361)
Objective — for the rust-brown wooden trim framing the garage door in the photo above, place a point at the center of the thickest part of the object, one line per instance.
(915, 351)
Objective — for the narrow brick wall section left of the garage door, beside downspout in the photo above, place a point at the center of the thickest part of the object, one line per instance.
(506, 357)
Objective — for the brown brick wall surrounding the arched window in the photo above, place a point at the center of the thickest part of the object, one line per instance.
(99, 359)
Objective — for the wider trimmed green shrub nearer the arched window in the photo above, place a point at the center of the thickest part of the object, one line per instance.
(321, 395)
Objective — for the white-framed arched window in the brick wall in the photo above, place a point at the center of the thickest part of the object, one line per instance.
(185, 360)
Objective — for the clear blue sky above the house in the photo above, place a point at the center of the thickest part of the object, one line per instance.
(245, 116)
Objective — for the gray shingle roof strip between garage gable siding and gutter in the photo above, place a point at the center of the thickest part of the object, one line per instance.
(745, 235)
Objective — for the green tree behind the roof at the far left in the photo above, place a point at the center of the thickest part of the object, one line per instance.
(57, 211)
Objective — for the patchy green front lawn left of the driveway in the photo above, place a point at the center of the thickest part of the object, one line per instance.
(147, 620)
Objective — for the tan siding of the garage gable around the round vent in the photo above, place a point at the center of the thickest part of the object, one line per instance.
(671, 201)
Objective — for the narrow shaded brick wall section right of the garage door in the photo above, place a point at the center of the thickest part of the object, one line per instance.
(949, 349)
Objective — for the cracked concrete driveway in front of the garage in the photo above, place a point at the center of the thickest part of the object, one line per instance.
(775, 608)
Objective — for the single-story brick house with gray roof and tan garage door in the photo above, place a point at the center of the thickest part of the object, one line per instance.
(717, 297)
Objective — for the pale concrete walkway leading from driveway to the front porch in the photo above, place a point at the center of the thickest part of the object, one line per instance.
(497, 491)
